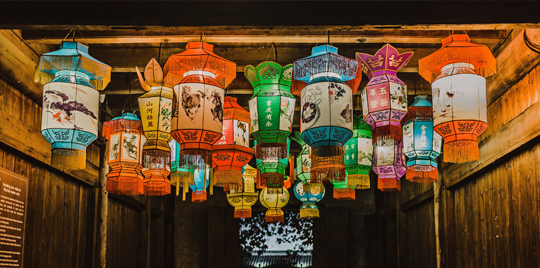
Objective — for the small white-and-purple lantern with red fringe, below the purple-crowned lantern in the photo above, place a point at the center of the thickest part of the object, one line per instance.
(388, 163)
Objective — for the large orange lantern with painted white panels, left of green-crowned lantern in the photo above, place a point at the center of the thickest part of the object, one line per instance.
(200, 77)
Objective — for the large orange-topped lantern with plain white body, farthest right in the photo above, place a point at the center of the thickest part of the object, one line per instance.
(457, 73)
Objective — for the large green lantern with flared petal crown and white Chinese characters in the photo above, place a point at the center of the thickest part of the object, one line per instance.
(271, 110)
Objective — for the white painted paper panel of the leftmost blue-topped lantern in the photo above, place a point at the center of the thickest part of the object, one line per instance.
(70, 106)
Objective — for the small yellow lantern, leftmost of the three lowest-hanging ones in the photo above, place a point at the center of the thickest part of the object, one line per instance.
(243, 198)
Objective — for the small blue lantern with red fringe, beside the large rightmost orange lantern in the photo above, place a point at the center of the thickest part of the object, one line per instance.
(420, 143)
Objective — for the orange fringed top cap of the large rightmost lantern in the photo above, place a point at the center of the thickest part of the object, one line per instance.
(455, 49)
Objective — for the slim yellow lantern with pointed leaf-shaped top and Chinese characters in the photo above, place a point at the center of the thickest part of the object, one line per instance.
(156, 110)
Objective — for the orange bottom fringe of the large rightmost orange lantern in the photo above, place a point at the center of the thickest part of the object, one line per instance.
(460, 151)
